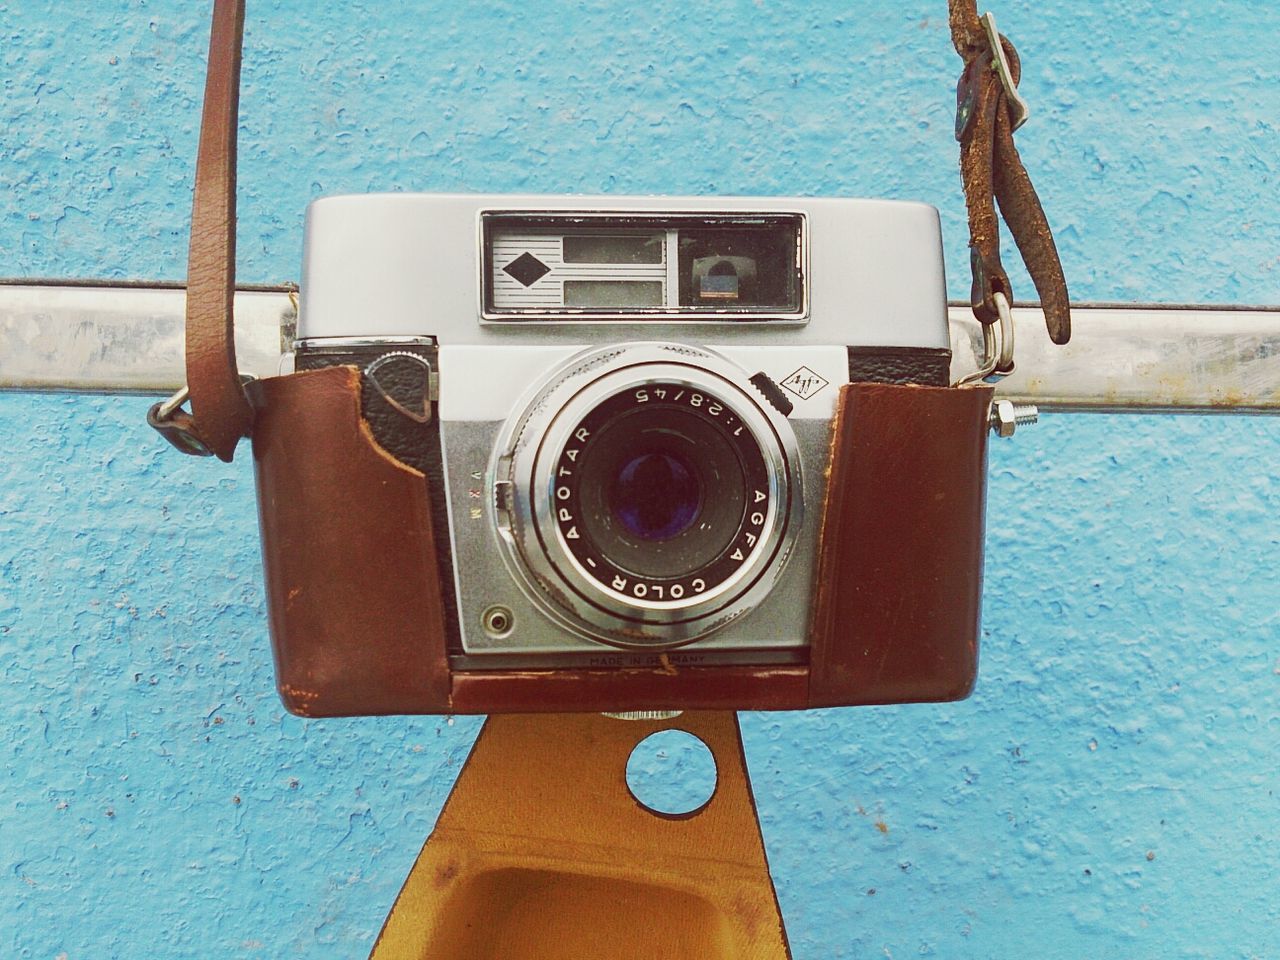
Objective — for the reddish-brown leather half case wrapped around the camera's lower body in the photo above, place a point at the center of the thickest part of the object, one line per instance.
(355, 600)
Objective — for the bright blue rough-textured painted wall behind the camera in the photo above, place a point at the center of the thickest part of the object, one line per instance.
(1112, 787)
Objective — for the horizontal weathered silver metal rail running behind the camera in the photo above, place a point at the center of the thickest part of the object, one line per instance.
(129, 339)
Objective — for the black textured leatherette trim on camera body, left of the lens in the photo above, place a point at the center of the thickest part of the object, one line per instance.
(412, 442)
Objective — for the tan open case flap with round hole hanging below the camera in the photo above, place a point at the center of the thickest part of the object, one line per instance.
(542, 853)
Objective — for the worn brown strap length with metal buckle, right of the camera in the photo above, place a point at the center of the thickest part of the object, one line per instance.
(990, 167)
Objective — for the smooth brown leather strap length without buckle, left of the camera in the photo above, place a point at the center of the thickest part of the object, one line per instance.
(221, 413)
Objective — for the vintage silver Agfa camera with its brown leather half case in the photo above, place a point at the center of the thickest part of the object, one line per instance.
(629, 417)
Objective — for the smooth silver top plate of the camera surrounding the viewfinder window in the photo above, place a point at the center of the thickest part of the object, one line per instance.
(404, 264)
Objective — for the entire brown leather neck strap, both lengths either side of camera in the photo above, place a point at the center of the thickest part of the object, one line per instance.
(222, 413)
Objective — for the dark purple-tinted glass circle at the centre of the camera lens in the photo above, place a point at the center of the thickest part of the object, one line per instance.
(656, 496)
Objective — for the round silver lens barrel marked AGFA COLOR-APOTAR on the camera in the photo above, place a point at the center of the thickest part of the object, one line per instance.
(653, 495)
